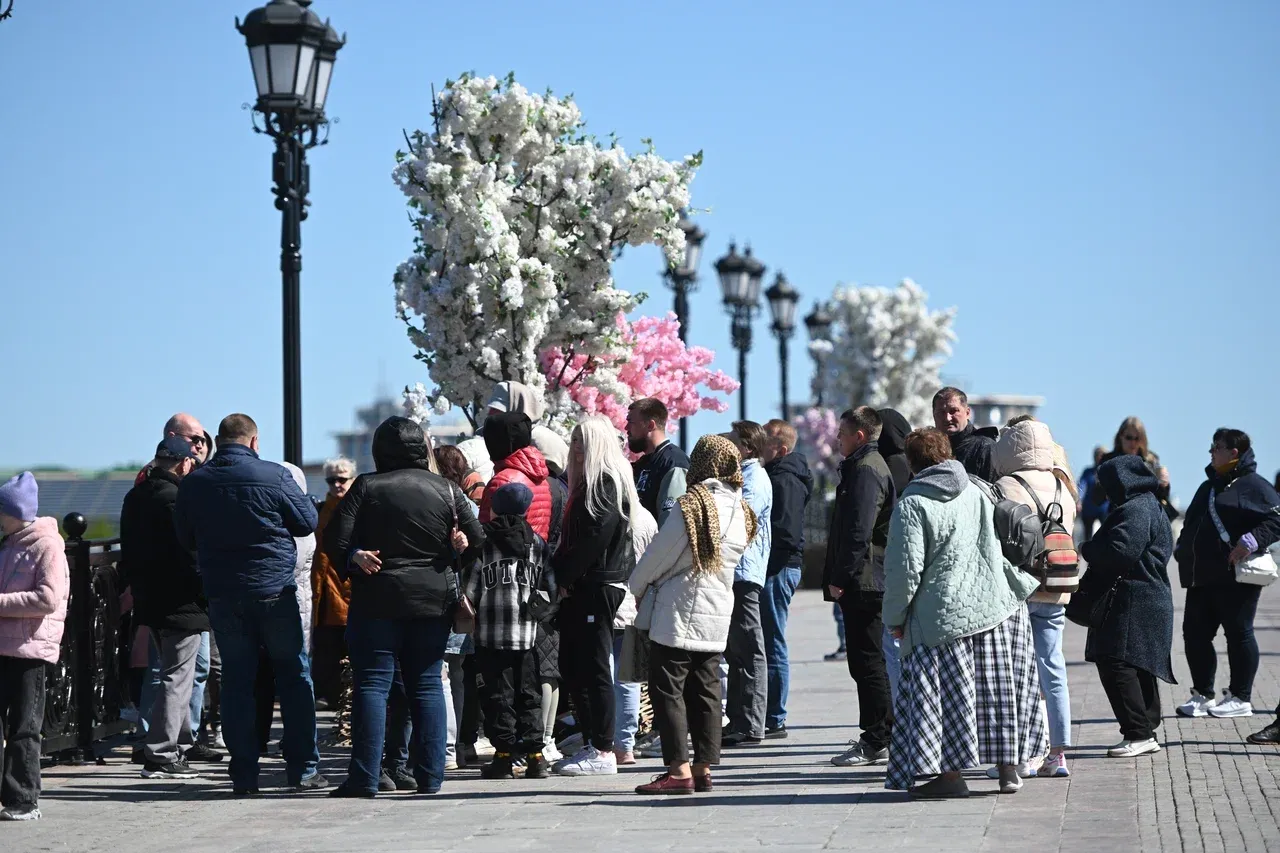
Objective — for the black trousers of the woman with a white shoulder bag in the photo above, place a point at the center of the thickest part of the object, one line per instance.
(1231, 608)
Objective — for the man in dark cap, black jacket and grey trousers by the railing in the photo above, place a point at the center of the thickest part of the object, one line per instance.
(170, 599)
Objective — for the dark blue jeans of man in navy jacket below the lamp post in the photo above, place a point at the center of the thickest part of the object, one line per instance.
(244, 626)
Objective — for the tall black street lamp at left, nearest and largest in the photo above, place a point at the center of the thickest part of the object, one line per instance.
(292, 53)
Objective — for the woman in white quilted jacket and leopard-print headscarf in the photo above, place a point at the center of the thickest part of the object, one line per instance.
(685, 583)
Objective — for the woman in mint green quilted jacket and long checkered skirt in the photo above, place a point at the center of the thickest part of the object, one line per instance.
(970, 694)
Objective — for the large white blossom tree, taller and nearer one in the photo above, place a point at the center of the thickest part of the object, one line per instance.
(519, 216)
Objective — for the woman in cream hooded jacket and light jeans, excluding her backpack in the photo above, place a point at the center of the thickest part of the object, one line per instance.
(1027, 457)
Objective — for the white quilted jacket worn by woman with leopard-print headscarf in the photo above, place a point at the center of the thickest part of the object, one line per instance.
(692, 612)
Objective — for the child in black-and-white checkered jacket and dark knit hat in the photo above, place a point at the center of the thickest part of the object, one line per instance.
(515, 568)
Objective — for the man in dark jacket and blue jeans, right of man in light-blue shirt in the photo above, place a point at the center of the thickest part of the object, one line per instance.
(793, 485)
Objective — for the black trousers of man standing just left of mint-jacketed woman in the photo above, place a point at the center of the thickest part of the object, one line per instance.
(865, 641)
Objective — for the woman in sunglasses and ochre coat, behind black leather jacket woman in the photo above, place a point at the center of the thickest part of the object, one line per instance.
(331, 595)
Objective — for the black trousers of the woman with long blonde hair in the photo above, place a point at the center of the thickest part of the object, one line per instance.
(587, 649)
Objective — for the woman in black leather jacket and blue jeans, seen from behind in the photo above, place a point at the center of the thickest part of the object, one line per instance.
(395, 536)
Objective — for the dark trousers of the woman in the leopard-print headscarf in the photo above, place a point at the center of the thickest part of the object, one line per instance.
(684, 688)
